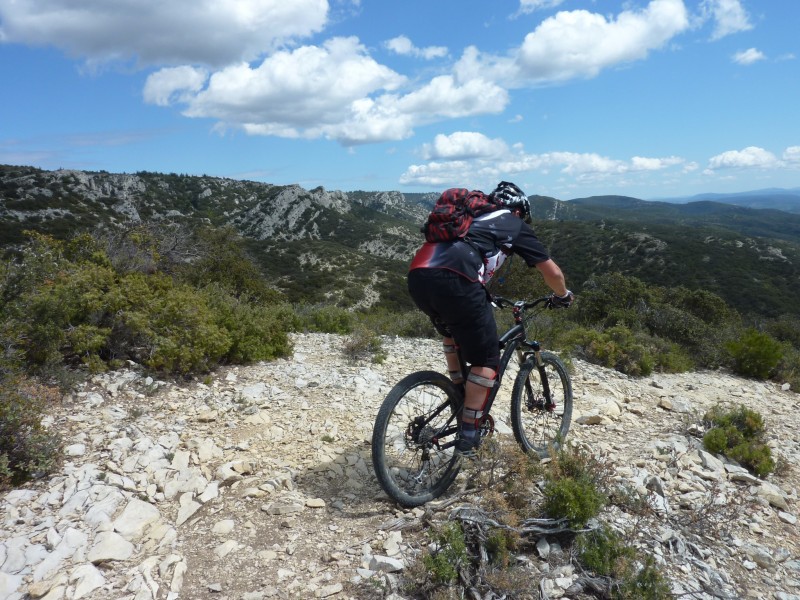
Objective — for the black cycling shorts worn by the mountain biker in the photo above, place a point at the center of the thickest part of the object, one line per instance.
(460, 309)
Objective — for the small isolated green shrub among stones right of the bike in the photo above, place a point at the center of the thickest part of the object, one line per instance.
(738, 435)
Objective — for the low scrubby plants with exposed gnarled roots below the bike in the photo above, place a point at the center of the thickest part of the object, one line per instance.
(511, 490)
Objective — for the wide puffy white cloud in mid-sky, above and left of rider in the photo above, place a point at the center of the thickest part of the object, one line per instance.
(335, 91)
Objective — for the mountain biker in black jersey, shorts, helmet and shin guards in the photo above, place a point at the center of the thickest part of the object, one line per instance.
(447, 282)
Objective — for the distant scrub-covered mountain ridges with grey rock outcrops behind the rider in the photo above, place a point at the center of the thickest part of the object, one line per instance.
(353, 248)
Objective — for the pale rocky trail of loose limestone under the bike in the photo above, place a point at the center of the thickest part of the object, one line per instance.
(256, 482)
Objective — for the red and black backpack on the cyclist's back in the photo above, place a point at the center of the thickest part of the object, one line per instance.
(454, 212)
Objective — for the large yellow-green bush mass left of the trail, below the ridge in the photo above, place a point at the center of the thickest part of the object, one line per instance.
(86, 312)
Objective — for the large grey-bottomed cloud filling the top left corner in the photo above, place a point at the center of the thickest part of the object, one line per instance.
(211, 32)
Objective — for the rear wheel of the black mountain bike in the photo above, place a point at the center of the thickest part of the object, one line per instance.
(410, 429)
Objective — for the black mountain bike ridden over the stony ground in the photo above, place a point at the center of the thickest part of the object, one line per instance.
(414, 435)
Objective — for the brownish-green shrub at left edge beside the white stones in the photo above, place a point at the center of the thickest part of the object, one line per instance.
(26, 448)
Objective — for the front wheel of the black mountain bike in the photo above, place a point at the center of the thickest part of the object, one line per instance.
(541, 425)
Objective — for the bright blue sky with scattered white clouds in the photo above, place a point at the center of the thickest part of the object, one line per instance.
(567, 98)
